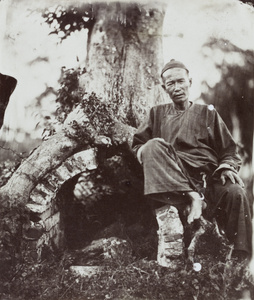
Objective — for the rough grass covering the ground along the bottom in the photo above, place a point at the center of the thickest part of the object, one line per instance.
(127, 277)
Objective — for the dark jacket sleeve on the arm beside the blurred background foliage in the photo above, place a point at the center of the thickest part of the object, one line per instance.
(226, 148)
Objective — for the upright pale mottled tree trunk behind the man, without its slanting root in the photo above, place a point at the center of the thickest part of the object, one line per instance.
(125, 58)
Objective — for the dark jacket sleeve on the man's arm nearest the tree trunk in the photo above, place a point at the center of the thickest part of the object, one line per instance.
(144, 132)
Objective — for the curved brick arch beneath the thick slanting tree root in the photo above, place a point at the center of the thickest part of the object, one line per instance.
(44, 227)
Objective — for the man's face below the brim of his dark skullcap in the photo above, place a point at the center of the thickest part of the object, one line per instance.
(177, 83)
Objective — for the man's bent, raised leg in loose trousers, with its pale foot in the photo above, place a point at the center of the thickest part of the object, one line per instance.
(164, 175)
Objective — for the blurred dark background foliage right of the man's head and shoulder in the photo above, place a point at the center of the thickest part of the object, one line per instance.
(233, 94)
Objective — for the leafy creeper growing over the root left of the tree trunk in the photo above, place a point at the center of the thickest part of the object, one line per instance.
(98, 115)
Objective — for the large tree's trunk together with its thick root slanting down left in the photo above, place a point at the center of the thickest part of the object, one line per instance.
(124, 58)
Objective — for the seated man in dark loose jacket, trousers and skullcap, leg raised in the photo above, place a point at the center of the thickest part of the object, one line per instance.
(190, 158)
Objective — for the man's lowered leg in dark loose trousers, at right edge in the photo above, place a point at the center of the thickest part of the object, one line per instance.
(230, 206)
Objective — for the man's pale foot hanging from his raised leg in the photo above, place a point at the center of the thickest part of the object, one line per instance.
(196, 206)
